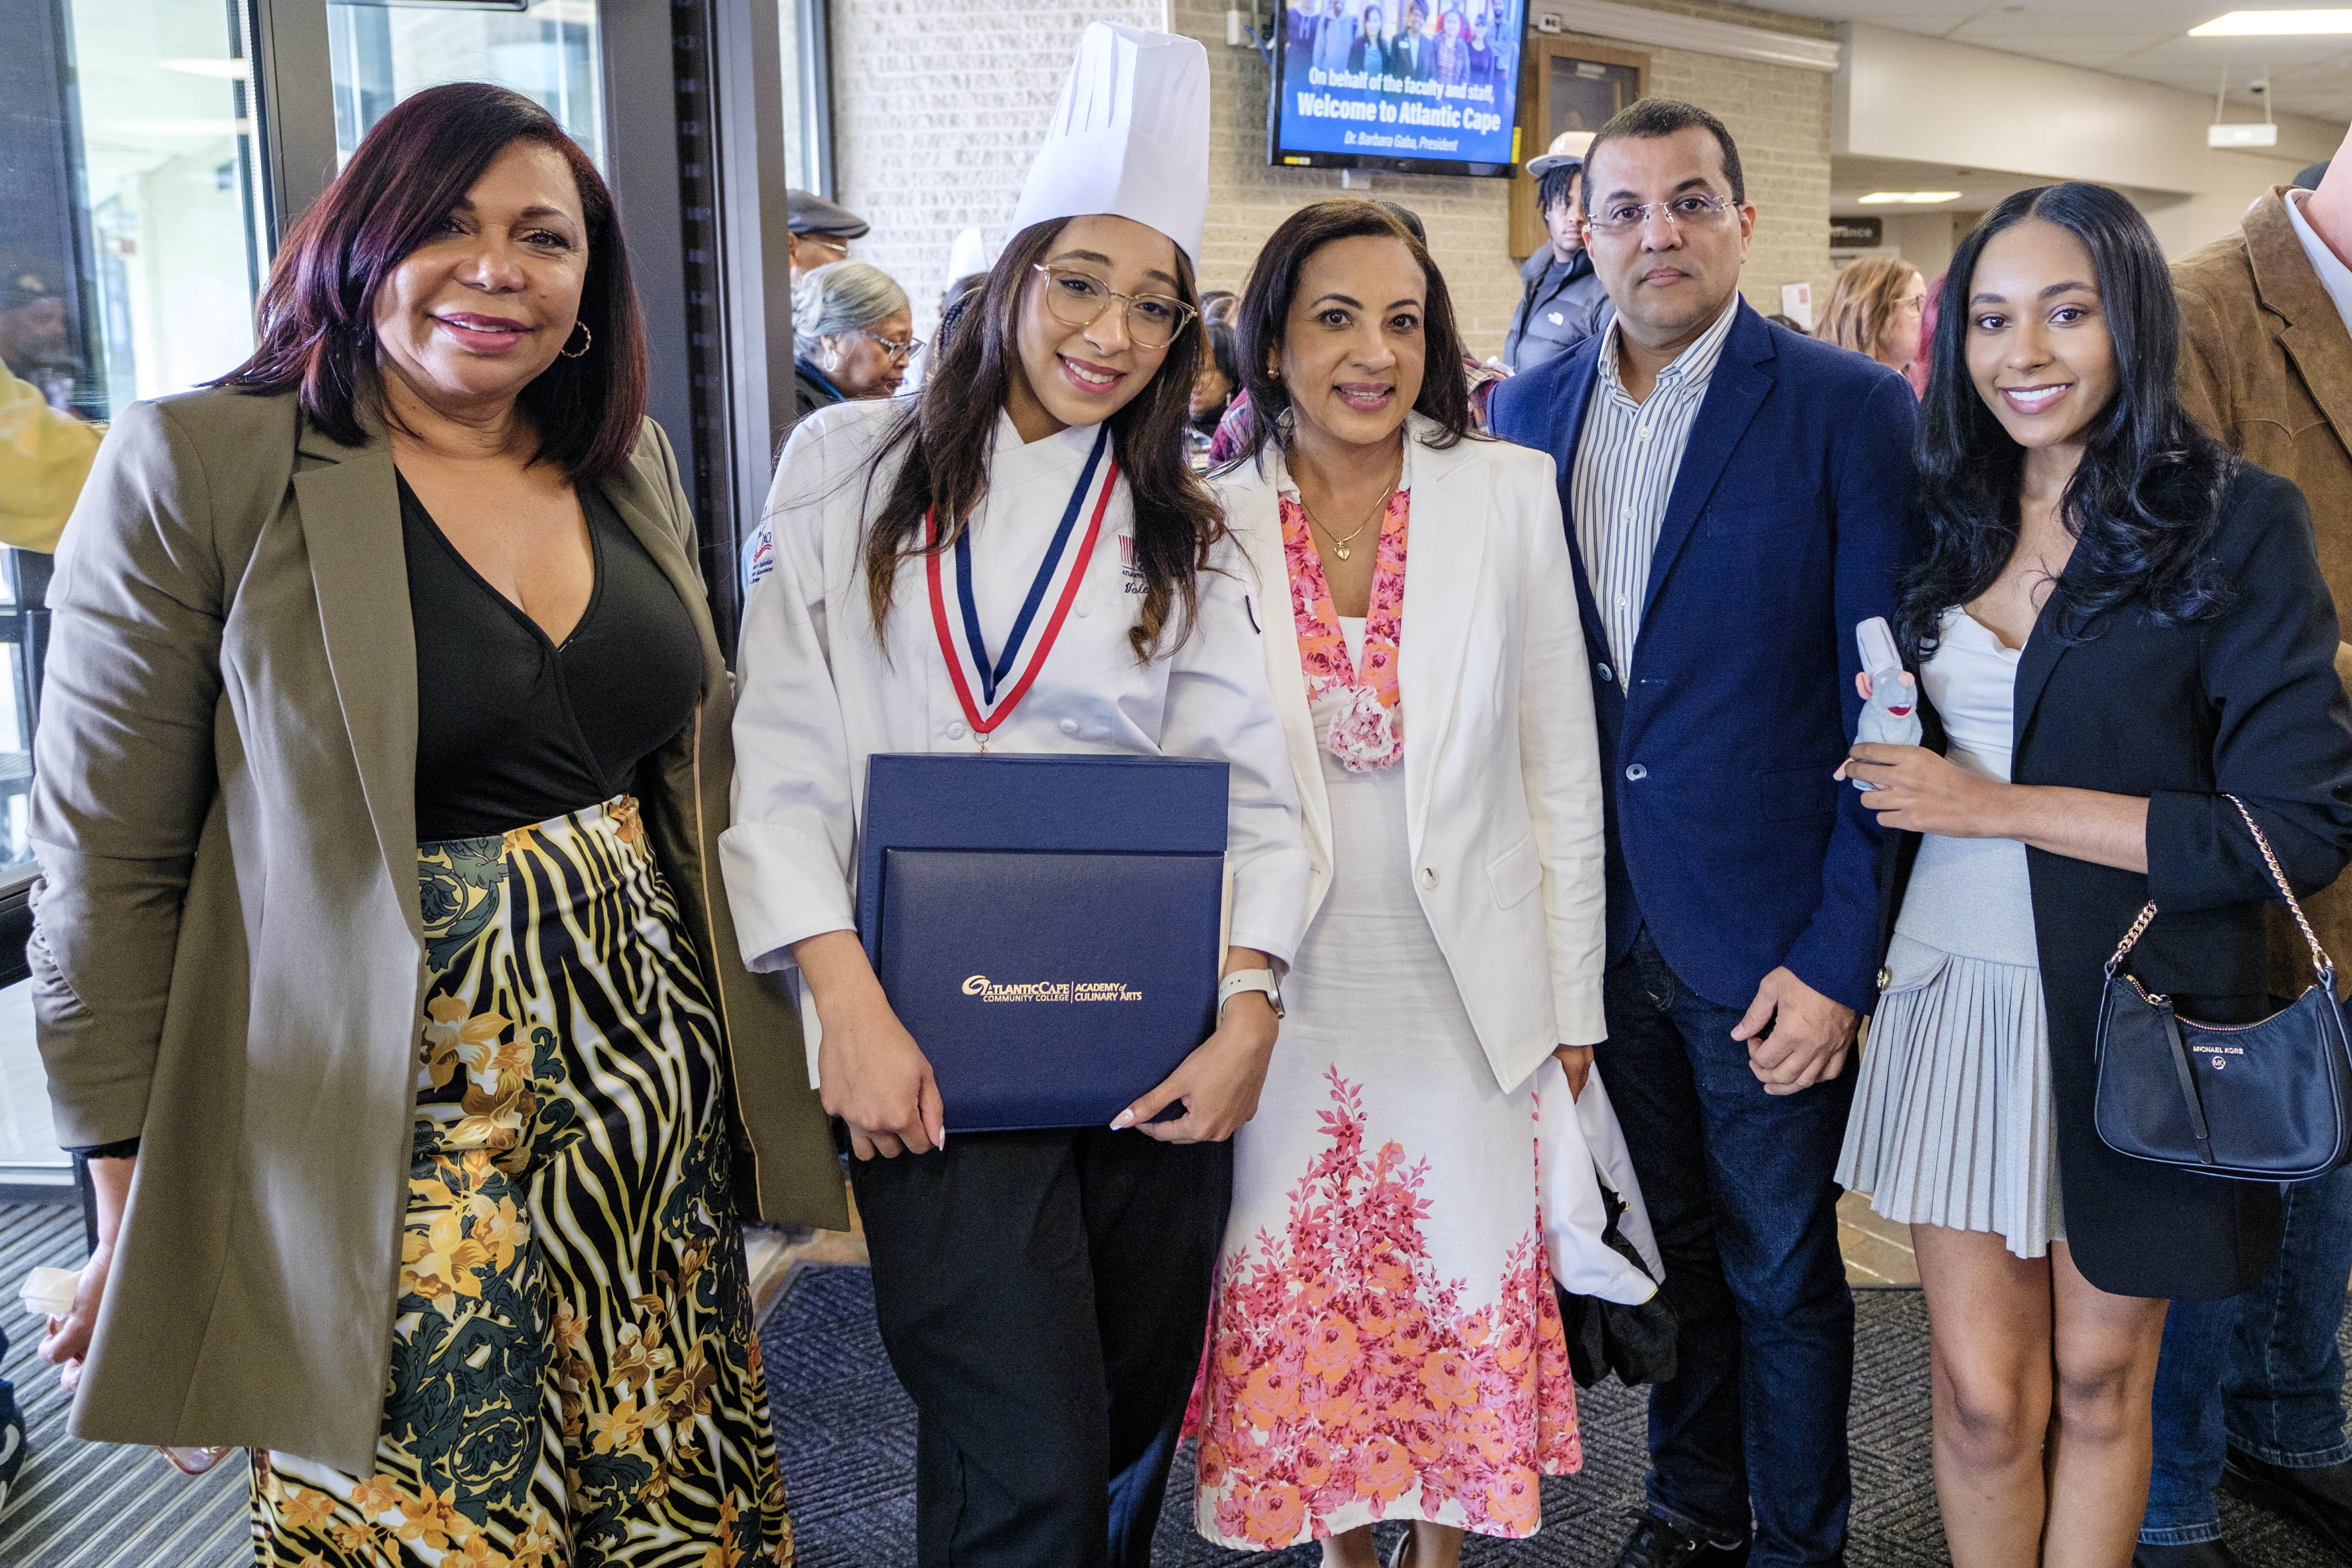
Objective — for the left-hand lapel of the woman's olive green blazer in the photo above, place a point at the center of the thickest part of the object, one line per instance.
(349, 504)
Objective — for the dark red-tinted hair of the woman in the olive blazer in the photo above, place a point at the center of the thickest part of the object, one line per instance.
(319, 311)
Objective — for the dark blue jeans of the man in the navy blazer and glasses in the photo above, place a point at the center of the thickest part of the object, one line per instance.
(1739, 1188)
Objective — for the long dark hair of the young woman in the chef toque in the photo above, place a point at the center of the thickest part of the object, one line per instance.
(954, 429)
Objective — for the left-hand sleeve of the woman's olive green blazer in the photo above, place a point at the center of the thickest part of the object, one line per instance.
(123, 770)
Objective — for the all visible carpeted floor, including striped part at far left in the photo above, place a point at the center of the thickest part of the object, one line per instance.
(848, 1445)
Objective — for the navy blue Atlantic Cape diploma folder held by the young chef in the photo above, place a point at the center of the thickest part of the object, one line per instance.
(1045, 927)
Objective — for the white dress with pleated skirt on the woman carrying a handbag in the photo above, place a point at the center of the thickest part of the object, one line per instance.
(1953, 1115)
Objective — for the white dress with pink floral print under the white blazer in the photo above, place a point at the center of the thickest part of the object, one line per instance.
(1387, 1343)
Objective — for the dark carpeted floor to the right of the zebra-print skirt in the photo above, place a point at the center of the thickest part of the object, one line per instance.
(848, 1440)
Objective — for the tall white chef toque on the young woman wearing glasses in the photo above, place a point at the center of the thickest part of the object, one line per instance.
(1130, 138)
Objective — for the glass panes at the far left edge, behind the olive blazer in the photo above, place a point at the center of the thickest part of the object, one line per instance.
(131, 255)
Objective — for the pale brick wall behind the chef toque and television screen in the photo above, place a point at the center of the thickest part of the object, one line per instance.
(937, 112)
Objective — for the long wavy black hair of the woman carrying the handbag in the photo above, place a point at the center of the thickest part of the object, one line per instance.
(2146, 500)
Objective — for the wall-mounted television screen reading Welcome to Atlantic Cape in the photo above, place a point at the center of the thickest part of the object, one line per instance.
(1417, 86)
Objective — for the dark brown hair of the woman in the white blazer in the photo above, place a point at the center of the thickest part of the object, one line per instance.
(1267, 311)
